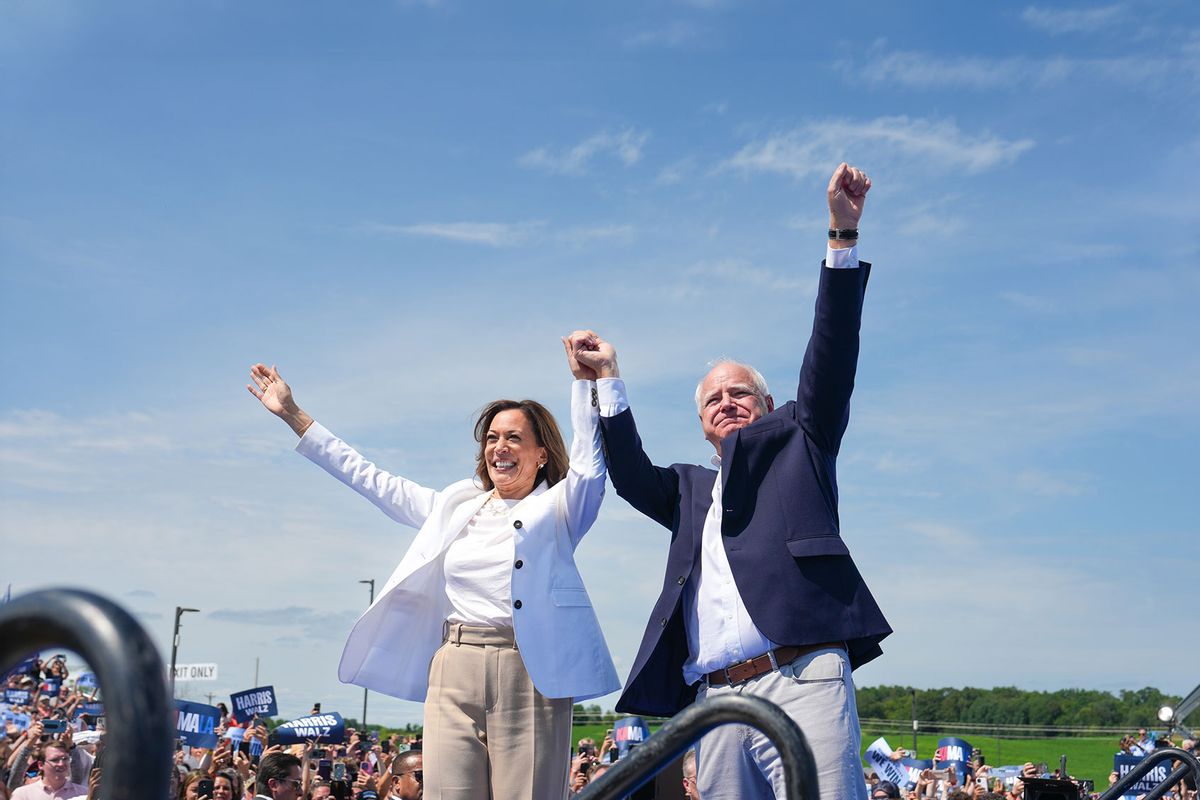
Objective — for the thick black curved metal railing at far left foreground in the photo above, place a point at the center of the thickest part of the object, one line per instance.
(140, 739)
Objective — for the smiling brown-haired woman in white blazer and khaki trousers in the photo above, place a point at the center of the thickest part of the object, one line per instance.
(485, 619)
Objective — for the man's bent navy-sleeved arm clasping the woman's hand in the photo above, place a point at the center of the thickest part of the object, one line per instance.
(652, 490)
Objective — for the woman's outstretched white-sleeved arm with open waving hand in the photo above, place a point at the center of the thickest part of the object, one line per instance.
(401, 500)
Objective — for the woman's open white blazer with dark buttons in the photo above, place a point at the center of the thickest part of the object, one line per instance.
(391, 648)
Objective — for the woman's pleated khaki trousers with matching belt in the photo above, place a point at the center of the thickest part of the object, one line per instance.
(489, 733)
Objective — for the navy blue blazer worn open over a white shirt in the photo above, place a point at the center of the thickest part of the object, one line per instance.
(779, 525)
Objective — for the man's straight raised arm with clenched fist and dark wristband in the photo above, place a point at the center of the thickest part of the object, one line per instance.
(827, 376)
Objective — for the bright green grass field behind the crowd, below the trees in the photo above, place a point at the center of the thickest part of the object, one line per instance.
(1087, 759)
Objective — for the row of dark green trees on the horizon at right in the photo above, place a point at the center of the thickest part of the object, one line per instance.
(1066, 708)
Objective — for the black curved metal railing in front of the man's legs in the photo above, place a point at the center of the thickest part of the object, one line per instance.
(674, 738)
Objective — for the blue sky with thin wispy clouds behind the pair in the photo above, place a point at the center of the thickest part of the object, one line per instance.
(406, 204)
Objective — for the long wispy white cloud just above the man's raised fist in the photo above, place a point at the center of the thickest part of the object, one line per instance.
(811, 148)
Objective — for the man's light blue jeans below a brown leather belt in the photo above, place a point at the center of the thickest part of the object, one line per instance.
(735, 762)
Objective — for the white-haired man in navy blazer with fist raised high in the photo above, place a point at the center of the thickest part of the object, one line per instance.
(761, 596)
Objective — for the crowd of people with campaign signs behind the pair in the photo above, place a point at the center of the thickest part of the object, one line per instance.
(59, 756)
